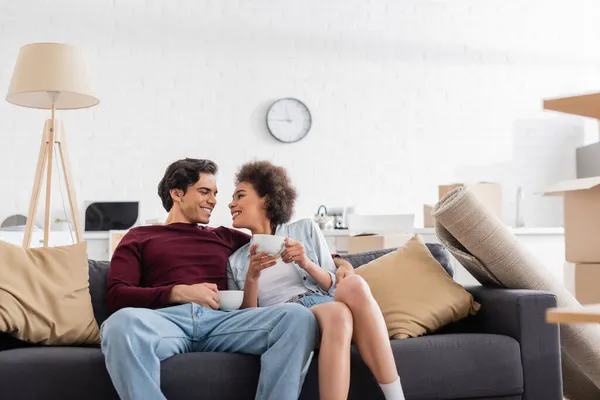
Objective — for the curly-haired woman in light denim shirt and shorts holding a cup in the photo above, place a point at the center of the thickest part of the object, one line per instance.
(304, 273)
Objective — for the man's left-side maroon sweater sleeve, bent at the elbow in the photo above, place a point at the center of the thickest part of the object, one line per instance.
(124, 278)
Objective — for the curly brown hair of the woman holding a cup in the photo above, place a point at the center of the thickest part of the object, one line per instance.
(271, 181)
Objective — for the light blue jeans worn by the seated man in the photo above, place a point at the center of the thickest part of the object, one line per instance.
(136, 340)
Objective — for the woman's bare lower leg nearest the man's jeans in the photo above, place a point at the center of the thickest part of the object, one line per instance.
(335, 321)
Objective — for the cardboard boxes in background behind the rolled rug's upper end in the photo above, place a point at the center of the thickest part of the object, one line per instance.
(489, 193)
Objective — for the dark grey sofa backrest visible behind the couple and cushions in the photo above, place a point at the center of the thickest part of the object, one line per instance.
(98, 271)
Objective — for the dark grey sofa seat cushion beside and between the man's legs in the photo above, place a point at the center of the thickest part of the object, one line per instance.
(73, 373)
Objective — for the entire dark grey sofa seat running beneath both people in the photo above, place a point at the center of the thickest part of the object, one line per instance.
(453, 366)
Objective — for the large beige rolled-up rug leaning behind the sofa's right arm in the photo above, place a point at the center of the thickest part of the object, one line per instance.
(494, 256)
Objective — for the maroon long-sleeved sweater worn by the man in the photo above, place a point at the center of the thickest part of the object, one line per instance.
(150, 260)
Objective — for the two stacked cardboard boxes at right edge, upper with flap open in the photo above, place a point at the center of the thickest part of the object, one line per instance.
(582, 236)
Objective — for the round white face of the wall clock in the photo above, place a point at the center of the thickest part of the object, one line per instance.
(288, 120)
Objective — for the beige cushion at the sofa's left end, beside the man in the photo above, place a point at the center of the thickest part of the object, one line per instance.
(44, 295)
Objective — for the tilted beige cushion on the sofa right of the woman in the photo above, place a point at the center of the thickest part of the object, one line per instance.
(416, 295)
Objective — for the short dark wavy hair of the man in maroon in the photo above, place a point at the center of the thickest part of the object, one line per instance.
(180, 175)
